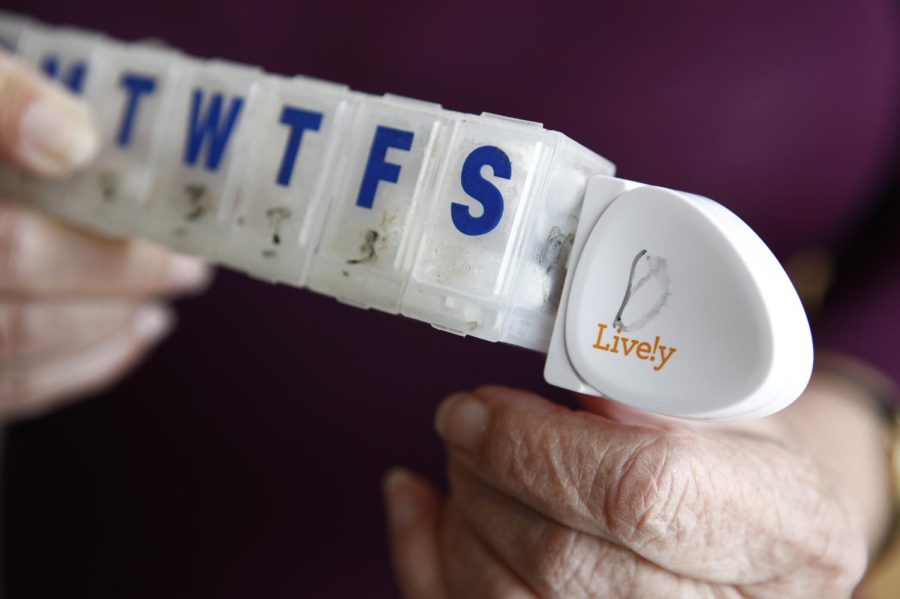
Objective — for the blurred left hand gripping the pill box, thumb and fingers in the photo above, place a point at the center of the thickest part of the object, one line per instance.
(76, 311)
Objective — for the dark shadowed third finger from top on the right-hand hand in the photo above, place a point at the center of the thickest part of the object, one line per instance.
(472, 571)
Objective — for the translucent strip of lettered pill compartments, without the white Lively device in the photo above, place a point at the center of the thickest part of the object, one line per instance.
(459, 220)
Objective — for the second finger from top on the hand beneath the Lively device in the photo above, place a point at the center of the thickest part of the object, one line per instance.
(555, 560)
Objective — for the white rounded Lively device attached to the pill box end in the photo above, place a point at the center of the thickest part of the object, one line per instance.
(673, 305)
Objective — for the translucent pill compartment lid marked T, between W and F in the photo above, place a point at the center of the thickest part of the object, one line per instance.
(297, 128)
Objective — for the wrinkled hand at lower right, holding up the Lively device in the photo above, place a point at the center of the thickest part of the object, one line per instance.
(549, 502)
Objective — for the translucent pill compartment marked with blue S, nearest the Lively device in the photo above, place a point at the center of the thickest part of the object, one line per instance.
(462, 281)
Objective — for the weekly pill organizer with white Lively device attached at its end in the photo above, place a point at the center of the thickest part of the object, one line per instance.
(481, 225)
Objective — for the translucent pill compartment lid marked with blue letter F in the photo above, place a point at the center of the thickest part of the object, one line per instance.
(373, 223)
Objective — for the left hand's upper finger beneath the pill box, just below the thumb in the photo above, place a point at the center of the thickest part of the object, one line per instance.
(40, 257)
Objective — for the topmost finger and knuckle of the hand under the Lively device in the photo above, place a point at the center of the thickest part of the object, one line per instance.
(654, 490)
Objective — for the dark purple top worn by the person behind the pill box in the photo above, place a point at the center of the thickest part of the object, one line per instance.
(244, 459)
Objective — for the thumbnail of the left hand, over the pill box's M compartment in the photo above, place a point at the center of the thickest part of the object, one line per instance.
(56, 136)
